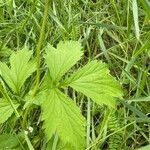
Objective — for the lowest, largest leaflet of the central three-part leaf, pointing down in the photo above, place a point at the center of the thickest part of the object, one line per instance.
(63, 118)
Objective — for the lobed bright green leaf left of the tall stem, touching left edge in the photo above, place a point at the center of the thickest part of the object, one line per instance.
(21, 67)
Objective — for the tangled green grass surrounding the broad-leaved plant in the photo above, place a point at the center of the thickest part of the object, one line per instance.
(116, 32)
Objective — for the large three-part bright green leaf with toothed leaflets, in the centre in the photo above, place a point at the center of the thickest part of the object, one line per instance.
(60, 115)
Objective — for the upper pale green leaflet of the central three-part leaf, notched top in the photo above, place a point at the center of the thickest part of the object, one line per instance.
(60, 60)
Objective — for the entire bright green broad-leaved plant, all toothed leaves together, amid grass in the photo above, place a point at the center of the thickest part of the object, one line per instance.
(60, 115)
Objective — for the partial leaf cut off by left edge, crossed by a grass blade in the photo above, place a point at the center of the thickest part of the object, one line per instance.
(6, 110)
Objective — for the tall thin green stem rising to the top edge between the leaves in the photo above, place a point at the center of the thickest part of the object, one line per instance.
(39, 44)
